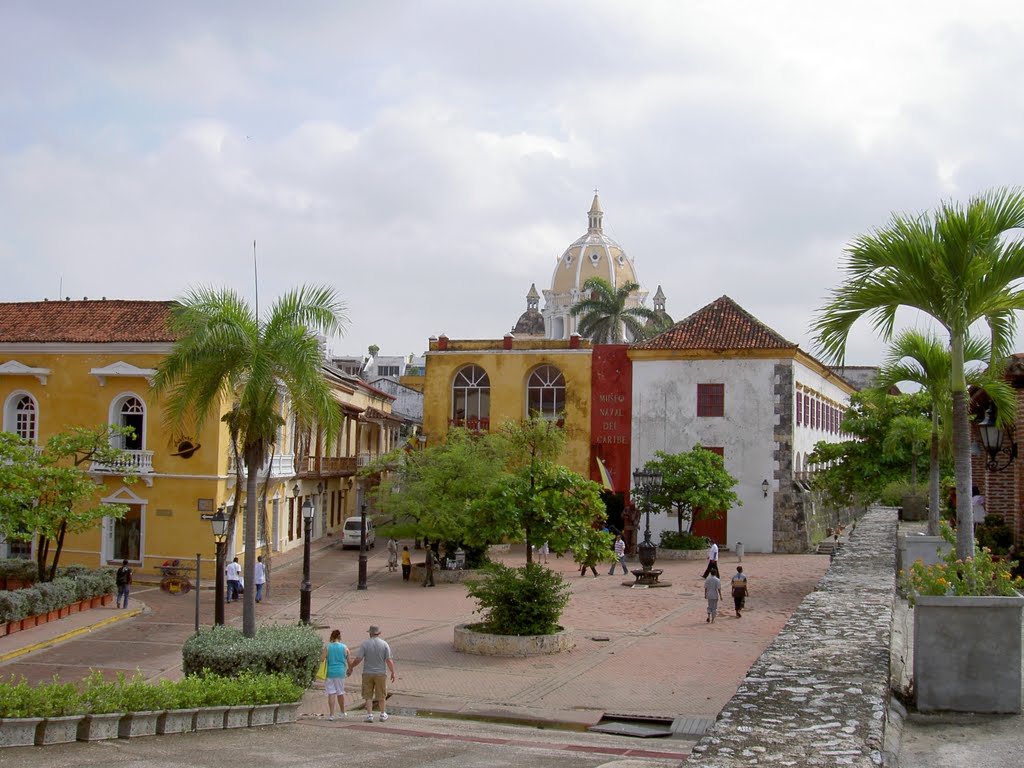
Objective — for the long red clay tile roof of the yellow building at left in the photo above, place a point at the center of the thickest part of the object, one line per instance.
(86, 322)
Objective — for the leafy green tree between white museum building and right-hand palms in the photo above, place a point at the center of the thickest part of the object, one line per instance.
(857, 471)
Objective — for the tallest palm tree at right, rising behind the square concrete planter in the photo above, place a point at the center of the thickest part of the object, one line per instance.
(958, 267)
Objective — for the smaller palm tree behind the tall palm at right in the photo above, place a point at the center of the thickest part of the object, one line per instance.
(923, 359)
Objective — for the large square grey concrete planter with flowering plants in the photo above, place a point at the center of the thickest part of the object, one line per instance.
(967, 633)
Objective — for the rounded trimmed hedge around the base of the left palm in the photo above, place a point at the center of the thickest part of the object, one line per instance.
(294, 652)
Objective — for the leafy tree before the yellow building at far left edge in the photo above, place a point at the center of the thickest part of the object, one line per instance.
(49, 494)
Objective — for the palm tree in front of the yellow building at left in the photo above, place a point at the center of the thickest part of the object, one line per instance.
(228, 359)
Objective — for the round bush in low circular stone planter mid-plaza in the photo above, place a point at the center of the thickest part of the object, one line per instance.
(522, 609)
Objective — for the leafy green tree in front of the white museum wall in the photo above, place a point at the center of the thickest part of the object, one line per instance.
(694, 483)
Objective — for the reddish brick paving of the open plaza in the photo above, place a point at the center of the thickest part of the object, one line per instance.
(639, 653)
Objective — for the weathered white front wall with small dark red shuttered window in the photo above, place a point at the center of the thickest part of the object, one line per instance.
(665, 398)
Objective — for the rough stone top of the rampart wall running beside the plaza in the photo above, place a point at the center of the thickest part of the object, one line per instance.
(819, 696)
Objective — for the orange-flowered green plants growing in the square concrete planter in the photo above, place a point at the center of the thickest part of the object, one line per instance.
(975, 577)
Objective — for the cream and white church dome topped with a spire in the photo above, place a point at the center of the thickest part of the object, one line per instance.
(592, 255)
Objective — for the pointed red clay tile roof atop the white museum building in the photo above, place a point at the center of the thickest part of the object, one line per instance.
(721, 325)
